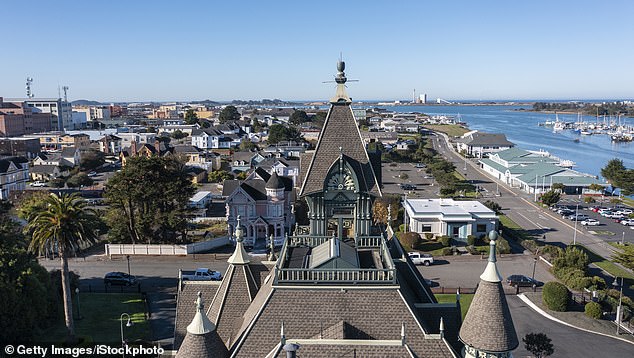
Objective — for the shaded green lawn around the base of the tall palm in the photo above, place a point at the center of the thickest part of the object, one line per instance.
(100, 319)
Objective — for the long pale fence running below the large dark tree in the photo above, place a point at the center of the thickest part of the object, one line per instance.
(165, 250)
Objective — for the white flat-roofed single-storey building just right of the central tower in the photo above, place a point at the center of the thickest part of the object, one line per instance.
(457, 219)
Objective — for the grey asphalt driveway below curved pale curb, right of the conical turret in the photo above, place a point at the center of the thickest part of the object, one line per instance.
(568, 342)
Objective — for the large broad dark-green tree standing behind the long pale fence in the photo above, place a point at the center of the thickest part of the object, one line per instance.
(152, 195)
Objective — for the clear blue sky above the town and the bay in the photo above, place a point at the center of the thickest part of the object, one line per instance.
(222, 50)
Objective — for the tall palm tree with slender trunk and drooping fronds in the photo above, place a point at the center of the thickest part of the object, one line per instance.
(63, 223)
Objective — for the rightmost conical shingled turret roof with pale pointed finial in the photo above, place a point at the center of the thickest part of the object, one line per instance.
(488, 325)
